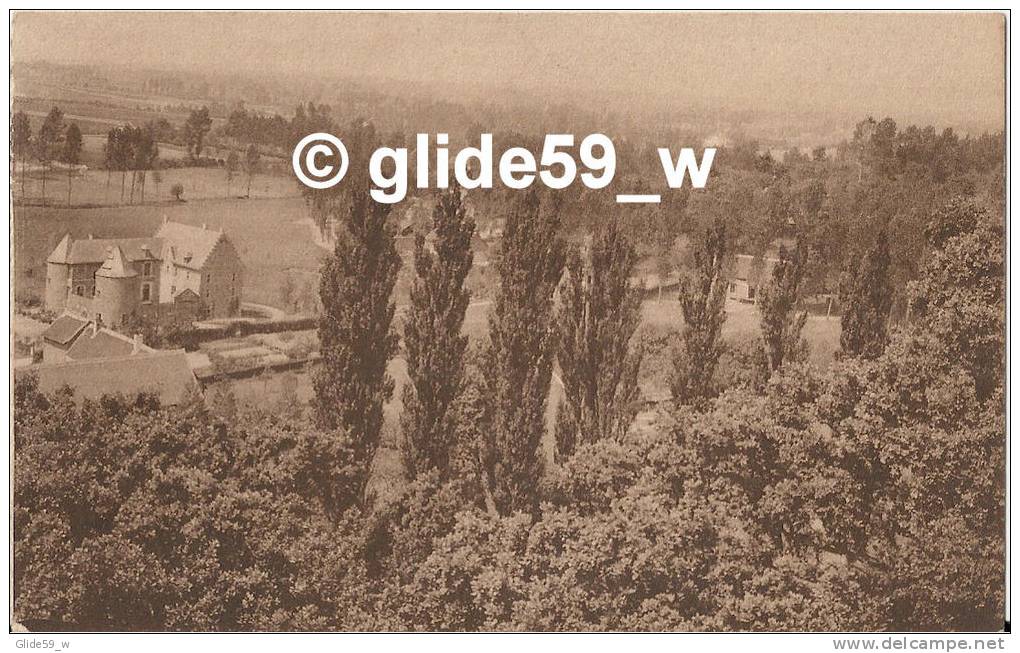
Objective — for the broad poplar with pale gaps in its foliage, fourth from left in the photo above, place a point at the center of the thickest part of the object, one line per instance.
(598, 316)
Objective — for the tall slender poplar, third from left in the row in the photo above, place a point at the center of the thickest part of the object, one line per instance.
(520, 360)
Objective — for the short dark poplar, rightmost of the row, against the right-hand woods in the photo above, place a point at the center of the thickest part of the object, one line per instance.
(866, 295)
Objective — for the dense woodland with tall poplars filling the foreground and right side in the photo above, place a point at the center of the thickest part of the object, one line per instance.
(769, 494)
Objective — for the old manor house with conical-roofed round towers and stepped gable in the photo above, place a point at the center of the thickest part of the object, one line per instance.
(113, 281)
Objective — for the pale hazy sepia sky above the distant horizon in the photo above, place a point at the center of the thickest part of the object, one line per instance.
(946, 66)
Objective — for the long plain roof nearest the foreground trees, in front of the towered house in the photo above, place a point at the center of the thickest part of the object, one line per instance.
(166, 374)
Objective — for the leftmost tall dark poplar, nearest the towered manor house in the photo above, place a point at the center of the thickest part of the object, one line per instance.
(354, 330)
